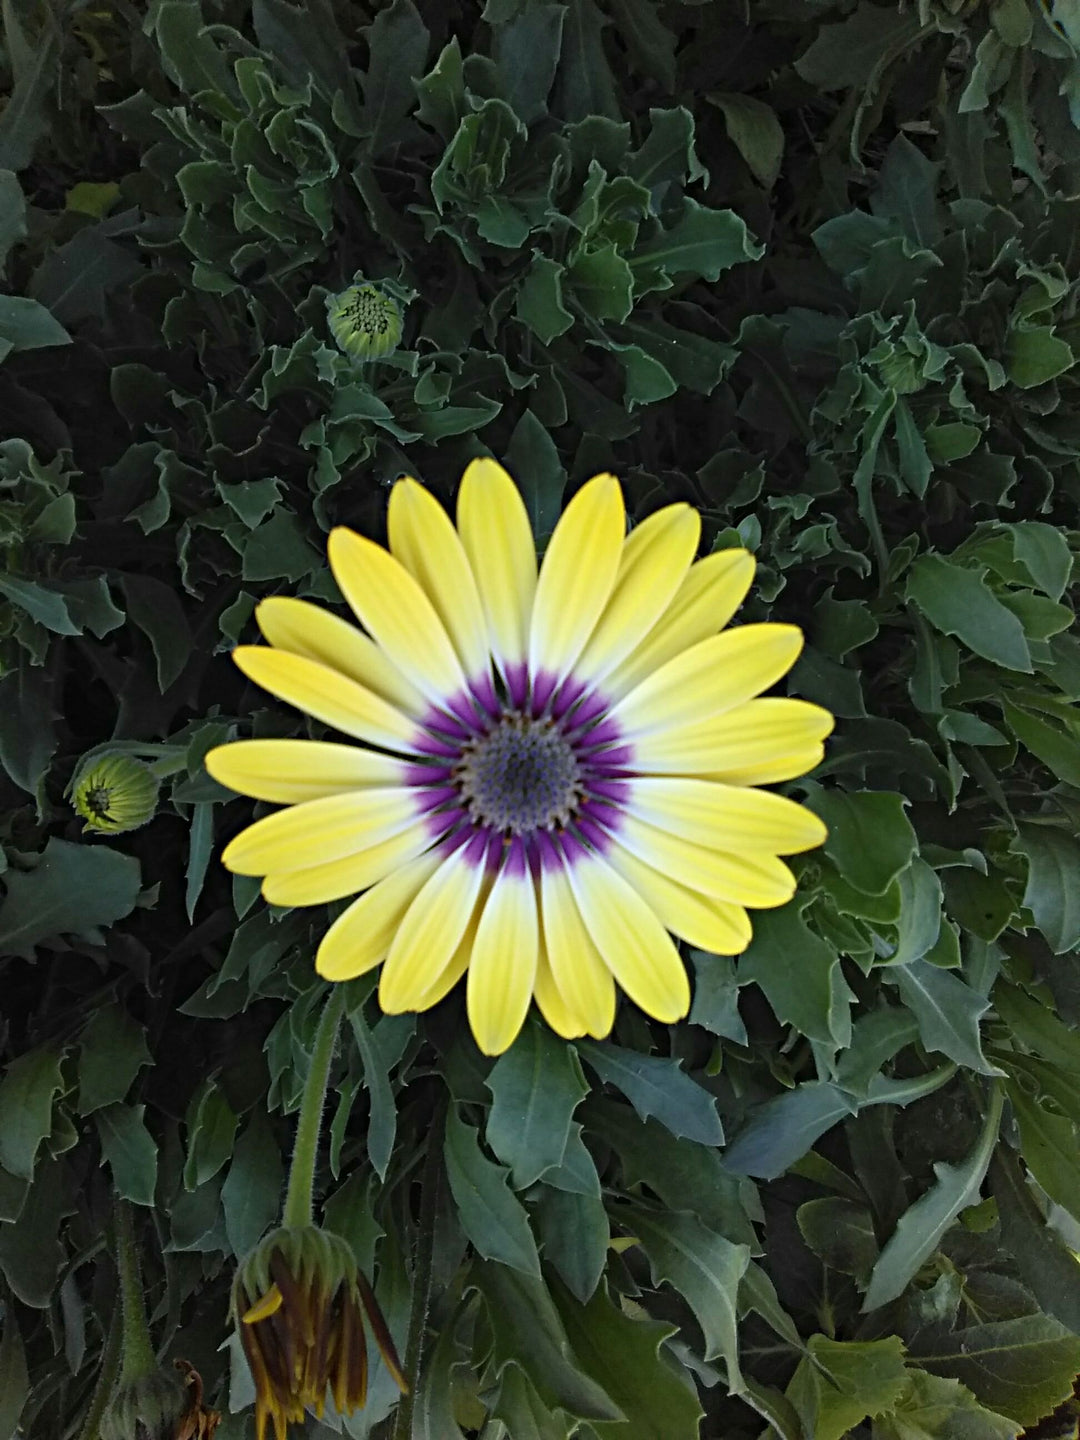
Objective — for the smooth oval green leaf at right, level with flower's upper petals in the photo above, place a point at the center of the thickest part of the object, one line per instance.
(960, 603)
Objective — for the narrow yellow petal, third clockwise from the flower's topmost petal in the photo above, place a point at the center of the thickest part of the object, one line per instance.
(705, 603)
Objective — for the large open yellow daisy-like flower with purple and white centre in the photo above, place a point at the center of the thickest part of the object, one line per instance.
(555, 770)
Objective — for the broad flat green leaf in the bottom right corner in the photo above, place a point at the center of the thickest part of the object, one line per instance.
(1023, 1367)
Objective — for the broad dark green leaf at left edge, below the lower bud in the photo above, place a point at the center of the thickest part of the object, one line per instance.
(70, 892)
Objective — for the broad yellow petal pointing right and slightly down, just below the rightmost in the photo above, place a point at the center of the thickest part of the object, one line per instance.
(725, 817)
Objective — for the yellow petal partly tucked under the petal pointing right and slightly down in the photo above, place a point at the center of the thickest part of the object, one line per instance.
(758, 881)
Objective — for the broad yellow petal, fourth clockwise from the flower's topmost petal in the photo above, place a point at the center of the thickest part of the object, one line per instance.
(716, 675)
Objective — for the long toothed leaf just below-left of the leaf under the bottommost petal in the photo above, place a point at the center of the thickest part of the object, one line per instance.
(492, 1216)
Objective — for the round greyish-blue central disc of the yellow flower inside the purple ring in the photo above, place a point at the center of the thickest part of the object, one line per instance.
(521, 777)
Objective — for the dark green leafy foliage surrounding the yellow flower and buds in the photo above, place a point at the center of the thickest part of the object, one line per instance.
(813, 267)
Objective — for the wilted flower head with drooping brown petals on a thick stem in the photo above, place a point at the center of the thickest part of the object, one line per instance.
(297, 1302)
